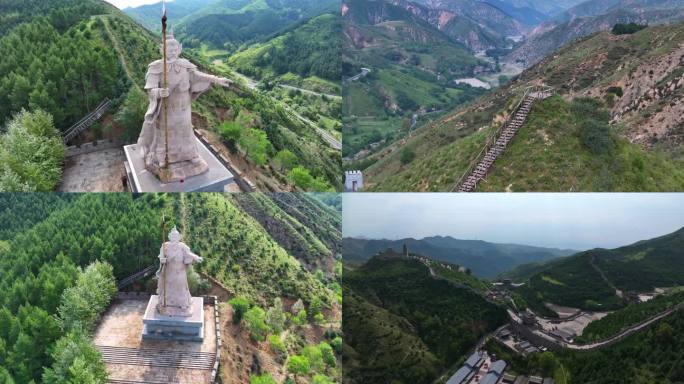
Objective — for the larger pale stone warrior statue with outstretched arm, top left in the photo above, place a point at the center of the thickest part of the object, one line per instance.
(167, 131)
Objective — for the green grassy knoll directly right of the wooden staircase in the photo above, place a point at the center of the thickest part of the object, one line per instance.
(557, 128)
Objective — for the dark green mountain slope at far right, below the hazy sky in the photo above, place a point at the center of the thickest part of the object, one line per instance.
(600, 278)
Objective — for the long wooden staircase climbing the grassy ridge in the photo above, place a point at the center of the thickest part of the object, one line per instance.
(494, 148)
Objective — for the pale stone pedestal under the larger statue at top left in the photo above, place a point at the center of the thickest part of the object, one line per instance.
(215, 179)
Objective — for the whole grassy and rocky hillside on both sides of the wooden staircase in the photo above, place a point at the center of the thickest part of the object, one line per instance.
(614, 124)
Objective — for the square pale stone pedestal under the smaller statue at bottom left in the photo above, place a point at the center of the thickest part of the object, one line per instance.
(174, 328)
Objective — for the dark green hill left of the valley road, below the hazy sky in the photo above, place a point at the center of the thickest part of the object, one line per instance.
(406, 325)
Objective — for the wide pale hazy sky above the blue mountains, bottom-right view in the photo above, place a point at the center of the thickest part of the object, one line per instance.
(572, 220)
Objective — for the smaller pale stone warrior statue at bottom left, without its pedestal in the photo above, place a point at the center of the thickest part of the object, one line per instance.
(174, 294)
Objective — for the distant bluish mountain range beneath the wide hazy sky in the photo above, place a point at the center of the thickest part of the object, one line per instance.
(484, 259)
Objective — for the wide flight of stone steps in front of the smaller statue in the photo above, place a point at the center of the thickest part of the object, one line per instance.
(157, 357)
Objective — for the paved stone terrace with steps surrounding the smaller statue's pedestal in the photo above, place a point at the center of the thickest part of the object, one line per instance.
(130, 359)
